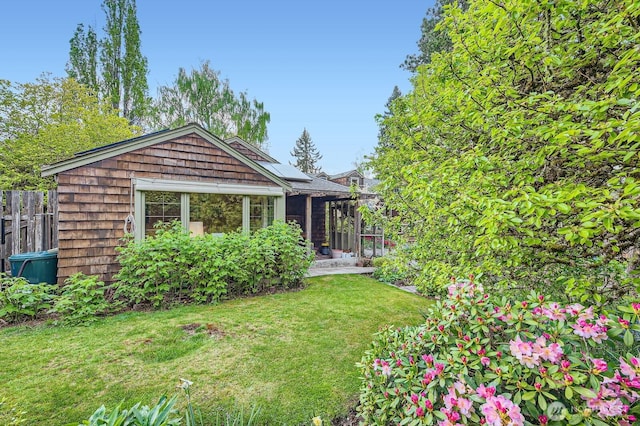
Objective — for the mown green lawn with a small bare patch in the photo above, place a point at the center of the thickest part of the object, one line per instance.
(292, 354)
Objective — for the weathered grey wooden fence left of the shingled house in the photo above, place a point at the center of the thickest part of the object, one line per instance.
(28, 222)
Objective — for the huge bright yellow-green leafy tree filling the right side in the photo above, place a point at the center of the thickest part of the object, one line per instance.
(516, 154)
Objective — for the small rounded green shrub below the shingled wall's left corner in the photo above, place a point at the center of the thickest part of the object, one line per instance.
(81, 299)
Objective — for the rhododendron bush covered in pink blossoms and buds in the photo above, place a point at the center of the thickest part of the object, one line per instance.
(485, 360)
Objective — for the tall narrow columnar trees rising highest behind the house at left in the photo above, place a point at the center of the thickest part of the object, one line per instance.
(122, 75)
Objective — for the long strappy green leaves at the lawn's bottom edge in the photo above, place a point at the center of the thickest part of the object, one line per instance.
(161, 414)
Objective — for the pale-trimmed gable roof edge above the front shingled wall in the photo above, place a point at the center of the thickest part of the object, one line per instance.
(108, 151)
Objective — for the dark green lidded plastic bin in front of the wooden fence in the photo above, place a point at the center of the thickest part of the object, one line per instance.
(36, 267)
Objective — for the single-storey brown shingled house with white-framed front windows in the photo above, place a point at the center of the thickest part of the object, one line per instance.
(188, 174)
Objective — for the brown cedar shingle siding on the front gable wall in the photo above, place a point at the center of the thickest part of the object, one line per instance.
(94, 199)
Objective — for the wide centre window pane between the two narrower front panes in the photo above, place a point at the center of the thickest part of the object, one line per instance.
(219, 213)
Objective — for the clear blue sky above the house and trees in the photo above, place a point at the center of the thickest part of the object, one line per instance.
(325, 65)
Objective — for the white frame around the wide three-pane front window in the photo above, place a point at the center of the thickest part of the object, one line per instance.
(143, 185)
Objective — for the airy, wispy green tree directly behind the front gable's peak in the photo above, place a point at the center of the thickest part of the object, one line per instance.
(201, 97)
